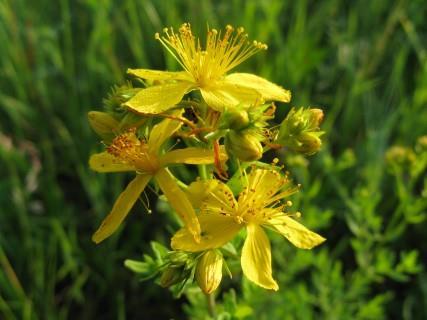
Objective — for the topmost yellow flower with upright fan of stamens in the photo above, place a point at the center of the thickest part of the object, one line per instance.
(205, 70)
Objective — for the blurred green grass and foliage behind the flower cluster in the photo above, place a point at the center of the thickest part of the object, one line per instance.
(363, 62)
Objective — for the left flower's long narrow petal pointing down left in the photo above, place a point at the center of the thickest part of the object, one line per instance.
(121, 208)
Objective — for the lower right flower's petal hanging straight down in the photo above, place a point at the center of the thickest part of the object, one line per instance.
(256, 258)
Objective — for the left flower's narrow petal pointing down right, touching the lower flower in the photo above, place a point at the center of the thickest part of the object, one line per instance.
(179, 201)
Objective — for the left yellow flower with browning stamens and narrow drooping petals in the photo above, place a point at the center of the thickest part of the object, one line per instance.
(129, 153)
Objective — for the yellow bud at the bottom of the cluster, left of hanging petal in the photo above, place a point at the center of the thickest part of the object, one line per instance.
(209, 271)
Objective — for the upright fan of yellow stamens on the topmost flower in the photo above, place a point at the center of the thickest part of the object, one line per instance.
(222, 52)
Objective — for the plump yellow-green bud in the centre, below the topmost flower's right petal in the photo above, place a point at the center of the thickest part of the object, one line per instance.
(246, 146)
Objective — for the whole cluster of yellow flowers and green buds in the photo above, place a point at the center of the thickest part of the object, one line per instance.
(223, 123)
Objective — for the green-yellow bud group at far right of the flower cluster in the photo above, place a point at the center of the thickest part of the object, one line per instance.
(300, 130)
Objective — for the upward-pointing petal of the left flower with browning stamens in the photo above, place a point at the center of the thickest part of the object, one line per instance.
(163, 130)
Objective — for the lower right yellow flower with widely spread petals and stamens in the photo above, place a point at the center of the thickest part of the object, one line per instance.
(222, 217)
